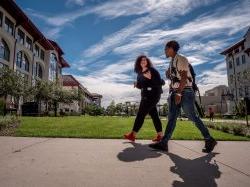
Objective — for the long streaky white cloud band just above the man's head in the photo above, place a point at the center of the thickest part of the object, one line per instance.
(221, 22)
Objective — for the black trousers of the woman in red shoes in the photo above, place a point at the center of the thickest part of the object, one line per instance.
(148, 104)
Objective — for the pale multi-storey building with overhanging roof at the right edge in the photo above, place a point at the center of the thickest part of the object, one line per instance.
(237, 58)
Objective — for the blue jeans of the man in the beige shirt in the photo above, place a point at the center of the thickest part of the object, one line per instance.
(188, 106)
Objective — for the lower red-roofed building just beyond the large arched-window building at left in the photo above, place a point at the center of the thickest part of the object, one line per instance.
(70, 83)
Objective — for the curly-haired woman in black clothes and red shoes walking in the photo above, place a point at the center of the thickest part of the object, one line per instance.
(150, 83)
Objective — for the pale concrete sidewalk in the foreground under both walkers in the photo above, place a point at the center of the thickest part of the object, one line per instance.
(91, 162)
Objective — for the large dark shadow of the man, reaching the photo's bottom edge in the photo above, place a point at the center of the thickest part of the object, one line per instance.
(200, 171)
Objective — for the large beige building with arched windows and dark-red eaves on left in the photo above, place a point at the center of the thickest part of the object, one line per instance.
(24, 49)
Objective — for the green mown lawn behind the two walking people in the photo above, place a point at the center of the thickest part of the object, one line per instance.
(106, 127)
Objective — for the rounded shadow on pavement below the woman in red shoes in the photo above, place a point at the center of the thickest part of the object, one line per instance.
(138, 152)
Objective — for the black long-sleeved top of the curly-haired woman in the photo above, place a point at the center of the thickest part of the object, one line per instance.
(151, 86)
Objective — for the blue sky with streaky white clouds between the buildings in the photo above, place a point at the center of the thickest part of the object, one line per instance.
(102, 38)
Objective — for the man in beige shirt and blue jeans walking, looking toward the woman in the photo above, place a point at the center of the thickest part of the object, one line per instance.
(181, 96)
